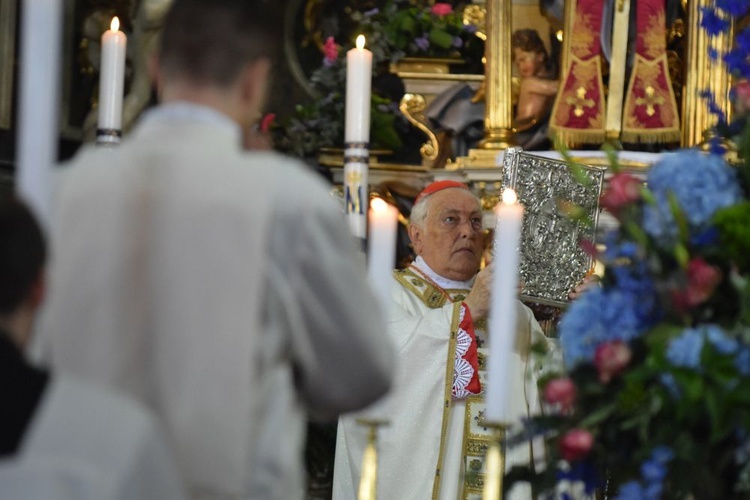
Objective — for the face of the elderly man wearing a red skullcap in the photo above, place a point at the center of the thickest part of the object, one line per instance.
(451, 240)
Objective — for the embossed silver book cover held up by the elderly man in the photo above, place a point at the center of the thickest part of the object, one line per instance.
(552, 260)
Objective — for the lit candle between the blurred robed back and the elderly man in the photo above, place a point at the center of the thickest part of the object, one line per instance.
(381, 251)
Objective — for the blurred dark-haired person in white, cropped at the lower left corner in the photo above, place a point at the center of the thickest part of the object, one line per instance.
(61, 437)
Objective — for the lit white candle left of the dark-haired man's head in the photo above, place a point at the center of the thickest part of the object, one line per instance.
(112, 78)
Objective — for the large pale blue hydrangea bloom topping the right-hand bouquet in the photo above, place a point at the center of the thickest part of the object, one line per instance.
(701, 184)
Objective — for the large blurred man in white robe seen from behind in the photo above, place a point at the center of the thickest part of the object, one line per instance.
(218, 285)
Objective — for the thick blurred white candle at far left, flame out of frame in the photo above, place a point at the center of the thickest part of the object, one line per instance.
(39, 102)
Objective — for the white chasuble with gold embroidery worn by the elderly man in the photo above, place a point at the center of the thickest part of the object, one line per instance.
(434, 446)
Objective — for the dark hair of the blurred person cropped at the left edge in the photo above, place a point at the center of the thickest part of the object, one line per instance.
(22, 253)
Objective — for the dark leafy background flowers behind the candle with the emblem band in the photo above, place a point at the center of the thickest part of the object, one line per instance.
(397, 30)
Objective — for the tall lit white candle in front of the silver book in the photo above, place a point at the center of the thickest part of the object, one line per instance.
(502, 320)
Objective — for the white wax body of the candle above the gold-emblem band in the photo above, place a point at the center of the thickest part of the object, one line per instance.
(358, 89)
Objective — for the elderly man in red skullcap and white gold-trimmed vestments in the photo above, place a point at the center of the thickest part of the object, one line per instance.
(434, 444)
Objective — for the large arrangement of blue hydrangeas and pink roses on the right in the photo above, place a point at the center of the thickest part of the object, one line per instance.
(654, 398)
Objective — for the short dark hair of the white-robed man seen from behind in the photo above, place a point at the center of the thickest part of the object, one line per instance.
(209, 42)
